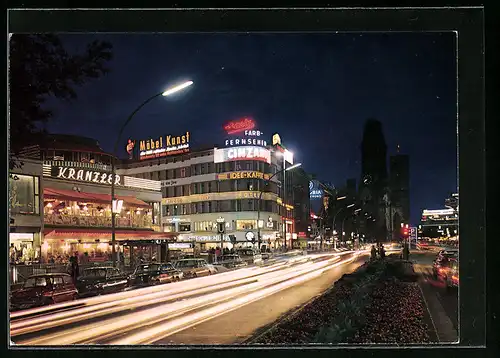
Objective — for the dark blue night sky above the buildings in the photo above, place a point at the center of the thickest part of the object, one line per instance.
(316, 90)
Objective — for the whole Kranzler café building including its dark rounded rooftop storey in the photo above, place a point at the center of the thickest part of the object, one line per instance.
(75, 194)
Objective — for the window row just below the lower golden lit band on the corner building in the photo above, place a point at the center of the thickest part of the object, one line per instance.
(219, 206)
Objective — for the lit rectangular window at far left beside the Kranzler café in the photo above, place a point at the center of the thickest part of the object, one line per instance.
(24, 194)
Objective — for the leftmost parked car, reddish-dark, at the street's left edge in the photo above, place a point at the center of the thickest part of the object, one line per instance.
(44, 289)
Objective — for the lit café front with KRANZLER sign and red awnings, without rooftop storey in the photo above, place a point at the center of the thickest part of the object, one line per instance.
(77, 215)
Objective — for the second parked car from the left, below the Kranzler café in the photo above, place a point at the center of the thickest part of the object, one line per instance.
(101, 280)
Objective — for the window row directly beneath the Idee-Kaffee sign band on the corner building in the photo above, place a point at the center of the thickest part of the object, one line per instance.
(222, 186)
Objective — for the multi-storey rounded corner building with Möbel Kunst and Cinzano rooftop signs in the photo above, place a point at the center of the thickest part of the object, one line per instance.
(240, 183)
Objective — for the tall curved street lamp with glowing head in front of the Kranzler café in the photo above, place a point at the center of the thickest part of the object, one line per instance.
(115, 150)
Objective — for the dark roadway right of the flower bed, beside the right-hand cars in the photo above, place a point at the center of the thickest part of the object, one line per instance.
(442, 303)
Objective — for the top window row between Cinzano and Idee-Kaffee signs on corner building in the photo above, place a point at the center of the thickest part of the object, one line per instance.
(207, 168)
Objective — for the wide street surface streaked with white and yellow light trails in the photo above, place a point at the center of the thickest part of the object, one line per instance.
(221, 309)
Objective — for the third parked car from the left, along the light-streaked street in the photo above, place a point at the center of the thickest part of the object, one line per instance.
(153, 274)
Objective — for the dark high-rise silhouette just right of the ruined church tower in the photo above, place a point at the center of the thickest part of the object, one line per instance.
(400, 185)
